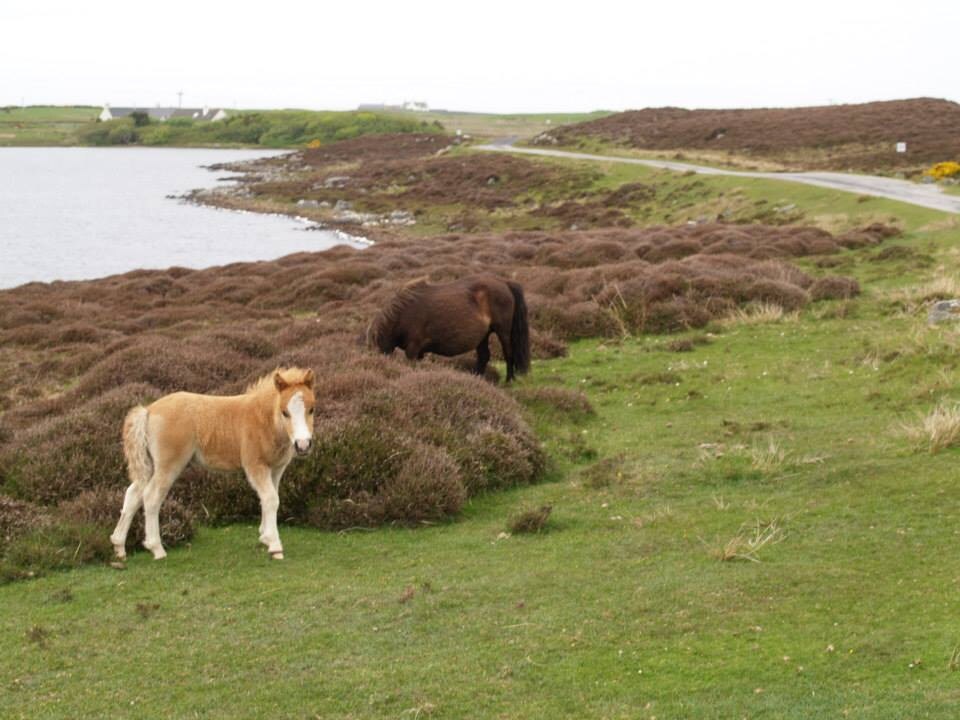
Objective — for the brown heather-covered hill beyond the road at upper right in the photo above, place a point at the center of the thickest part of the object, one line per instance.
(837, 137)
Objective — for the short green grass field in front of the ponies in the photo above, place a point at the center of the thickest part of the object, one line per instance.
(775, 442)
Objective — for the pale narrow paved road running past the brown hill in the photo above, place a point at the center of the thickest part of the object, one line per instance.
(929, 196)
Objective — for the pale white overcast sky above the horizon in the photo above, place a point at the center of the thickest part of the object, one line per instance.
(494, 56)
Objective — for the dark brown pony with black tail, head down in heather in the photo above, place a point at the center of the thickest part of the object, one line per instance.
(454, 318)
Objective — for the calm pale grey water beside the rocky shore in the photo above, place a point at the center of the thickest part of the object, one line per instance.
(80, 213)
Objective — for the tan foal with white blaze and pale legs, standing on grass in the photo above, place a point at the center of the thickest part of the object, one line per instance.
(258, 431)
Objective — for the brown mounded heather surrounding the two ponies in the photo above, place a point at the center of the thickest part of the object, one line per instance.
(395, 442)
